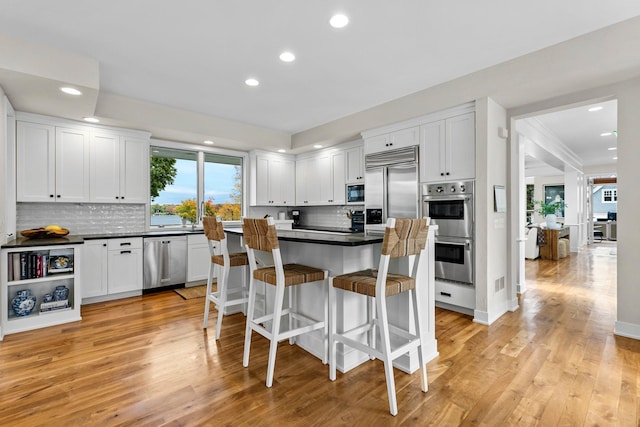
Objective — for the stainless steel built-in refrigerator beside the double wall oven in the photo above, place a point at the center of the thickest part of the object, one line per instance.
(391, 186)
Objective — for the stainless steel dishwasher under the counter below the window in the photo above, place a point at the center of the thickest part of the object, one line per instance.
(165, 262)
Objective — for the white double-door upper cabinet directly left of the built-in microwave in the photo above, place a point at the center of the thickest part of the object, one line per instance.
(320, 179)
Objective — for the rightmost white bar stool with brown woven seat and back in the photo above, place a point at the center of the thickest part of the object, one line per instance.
(402, 237)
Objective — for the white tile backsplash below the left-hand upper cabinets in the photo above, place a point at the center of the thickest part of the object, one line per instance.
(83, 218)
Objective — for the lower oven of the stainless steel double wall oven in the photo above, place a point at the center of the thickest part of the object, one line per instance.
(454, 259)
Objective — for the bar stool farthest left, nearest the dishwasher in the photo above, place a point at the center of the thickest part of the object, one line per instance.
(223, 260)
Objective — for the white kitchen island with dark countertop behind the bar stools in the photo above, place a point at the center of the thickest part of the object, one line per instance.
(342, 253)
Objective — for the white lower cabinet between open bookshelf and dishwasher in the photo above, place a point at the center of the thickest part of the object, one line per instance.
(113, 266)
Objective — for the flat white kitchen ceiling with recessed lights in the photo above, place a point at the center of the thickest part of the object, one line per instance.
(194, 55)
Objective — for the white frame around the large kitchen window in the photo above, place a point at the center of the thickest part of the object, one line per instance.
(201, 150)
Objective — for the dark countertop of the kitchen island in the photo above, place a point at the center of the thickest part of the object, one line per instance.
(320, 237)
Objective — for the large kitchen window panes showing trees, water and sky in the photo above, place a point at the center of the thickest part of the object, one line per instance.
(187, 184)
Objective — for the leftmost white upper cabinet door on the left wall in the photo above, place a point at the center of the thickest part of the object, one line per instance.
(36, 159)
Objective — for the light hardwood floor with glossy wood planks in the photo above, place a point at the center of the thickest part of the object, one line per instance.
(147, 361)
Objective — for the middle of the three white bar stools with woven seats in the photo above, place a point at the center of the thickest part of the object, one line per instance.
(261, 235)
